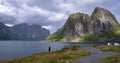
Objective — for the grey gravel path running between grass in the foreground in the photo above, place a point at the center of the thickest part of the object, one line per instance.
(96, 56)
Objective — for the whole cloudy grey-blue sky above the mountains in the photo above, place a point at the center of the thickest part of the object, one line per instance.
(50, 14)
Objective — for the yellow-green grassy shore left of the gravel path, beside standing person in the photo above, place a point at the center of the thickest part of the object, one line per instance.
(66, 55)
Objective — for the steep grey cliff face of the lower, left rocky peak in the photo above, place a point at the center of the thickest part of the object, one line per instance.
(76, 25)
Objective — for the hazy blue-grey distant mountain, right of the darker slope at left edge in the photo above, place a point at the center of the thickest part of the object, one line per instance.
(29, 32)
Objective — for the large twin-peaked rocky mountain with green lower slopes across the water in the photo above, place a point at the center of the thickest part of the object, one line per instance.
(100, 26)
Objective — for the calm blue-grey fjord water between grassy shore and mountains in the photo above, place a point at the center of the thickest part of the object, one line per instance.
(17, 49)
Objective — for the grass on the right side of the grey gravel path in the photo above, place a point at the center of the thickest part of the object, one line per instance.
(112, 59)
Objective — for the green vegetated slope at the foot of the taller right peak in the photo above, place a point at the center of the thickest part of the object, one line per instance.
(105, 36)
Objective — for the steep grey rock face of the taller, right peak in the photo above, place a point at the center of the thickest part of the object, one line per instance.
(101, 21)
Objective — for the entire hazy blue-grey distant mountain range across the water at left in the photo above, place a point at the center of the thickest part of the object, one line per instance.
(23, 32)
